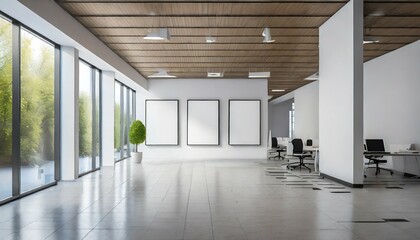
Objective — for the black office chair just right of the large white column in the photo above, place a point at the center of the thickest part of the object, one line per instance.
(377, 146)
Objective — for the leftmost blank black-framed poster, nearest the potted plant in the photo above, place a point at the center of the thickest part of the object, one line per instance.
(162, 122)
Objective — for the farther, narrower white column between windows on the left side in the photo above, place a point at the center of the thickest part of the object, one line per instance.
(108, 90)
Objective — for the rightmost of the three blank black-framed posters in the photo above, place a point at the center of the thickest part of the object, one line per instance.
(244, 122)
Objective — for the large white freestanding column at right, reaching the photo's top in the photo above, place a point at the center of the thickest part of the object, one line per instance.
(341, 95)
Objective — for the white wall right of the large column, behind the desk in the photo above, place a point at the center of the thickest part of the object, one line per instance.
(392, 102)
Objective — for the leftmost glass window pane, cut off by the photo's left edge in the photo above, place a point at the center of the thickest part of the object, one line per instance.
(5, 109)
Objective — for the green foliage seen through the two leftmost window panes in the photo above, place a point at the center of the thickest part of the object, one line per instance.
(37, 98)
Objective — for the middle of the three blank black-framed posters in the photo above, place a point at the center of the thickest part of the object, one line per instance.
(203, 122)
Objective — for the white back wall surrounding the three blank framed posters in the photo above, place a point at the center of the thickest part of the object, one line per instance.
(222, 89)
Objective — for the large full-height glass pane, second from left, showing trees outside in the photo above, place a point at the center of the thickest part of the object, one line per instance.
(37, 112)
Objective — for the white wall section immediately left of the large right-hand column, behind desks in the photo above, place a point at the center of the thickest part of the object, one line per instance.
(307, 111)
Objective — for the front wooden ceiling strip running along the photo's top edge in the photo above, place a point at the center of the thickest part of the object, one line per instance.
(204, 9)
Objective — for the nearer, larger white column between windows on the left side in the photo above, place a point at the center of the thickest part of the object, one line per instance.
(69, 113)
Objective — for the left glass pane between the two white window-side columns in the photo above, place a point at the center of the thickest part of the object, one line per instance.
(85, 118)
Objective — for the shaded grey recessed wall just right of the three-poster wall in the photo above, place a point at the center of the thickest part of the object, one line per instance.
(278, 121)
